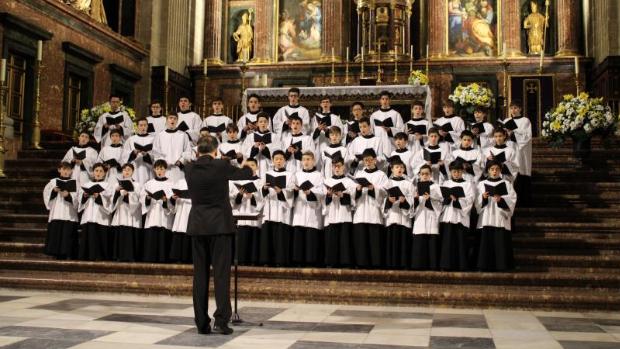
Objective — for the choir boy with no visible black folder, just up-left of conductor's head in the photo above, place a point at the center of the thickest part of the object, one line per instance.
(172, 145)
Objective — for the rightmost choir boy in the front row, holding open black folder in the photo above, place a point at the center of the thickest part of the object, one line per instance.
(495, 202)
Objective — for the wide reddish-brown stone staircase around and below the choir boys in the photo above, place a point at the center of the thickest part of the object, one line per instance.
(567, 249)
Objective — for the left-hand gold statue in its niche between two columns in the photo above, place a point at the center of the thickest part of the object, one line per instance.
(240, 43)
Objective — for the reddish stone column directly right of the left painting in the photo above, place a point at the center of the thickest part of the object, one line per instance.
(333, 23)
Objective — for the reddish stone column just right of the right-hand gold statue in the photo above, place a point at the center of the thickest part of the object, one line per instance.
(569, 27)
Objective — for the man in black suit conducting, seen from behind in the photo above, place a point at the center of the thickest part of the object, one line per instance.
(211, 227)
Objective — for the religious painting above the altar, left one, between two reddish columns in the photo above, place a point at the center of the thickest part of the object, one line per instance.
(300, 26)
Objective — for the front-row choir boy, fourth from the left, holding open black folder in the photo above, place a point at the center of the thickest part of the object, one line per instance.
(155, 199)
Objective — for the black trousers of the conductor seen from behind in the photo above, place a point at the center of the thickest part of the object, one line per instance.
(215, 250)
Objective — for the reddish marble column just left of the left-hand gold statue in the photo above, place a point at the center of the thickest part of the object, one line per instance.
(213, 31)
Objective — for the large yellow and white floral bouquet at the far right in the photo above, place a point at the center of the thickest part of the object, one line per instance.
(579, 118)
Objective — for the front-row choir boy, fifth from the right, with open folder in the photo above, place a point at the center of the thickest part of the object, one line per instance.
(368, 230)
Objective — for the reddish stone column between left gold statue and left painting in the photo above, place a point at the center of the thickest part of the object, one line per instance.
(264, 35)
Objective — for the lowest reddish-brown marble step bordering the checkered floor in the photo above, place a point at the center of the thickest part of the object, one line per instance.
(331, 292)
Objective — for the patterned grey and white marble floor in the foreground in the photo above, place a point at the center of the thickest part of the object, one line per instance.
(50, 320)
